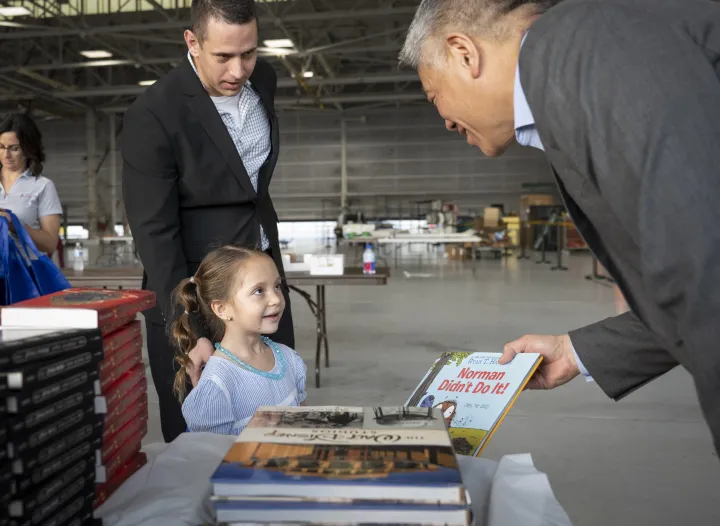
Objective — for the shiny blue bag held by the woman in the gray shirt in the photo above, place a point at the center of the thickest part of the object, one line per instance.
(25, 272)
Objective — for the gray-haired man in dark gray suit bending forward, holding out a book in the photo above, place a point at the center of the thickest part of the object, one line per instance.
(623, 96)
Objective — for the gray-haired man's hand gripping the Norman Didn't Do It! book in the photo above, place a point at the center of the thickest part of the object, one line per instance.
(558, 366)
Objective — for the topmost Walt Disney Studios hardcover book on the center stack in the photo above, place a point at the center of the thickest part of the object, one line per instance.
(401, 454)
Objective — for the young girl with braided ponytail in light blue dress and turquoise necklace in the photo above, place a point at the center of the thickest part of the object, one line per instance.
(236, 294)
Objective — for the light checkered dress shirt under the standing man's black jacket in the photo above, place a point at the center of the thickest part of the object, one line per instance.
(251, 136)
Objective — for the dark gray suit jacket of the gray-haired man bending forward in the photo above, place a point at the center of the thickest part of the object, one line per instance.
(626, 99)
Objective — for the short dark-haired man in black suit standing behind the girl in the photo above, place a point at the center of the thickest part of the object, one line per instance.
(199, 148)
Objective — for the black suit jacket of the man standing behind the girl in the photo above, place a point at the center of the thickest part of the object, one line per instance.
(185, 187)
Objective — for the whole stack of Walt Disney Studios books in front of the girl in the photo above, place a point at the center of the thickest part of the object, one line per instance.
(320, 465)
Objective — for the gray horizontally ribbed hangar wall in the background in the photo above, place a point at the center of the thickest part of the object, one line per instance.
(396, 157)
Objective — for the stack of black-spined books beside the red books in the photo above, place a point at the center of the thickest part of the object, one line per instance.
(51, 381)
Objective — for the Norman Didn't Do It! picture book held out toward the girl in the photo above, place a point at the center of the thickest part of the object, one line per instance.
(474, 393)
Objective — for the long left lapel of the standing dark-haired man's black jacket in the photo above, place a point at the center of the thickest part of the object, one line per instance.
(202, 106)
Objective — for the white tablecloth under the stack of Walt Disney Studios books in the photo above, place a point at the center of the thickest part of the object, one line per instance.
(173, 488)
